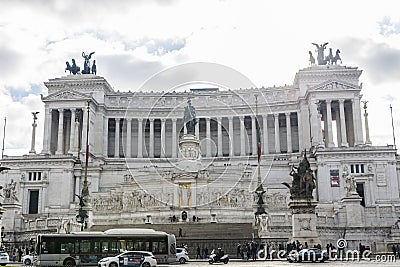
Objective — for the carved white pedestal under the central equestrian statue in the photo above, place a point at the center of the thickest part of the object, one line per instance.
(189, 154)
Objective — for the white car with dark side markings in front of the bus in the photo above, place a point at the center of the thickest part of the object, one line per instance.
(131, 258)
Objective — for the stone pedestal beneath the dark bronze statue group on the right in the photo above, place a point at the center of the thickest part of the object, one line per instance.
(304, 221)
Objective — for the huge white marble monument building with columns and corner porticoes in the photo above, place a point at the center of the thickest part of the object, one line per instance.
(136, 170)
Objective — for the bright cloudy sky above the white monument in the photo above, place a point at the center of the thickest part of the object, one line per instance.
(267, 41)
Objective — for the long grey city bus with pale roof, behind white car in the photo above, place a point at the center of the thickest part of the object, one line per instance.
(87, 248)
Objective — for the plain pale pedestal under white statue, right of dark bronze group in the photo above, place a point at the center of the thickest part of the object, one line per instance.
(354, 210)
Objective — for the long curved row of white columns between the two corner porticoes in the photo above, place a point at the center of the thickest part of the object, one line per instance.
(220, 136)
